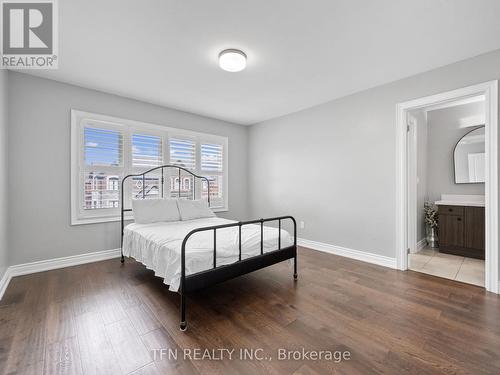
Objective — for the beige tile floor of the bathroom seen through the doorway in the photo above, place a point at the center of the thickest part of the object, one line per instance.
(453, 267)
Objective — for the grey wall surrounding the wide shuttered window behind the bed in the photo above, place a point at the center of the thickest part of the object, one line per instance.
(39, 164)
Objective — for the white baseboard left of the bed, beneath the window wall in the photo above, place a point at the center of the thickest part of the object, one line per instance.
(52, 264)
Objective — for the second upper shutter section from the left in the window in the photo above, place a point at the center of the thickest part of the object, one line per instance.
(146, 151)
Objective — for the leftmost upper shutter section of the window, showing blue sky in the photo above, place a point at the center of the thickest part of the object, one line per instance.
(103, 147)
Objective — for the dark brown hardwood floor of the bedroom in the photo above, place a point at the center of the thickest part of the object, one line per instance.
(104, 318)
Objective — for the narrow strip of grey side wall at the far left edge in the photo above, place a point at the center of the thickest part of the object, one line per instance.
(3, 173)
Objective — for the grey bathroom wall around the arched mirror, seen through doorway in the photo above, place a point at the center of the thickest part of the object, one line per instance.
(444, 132)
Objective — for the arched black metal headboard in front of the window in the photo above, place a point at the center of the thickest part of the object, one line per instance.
(144, 193)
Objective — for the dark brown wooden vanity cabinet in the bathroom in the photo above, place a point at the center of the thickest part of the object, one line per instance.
(461, 230)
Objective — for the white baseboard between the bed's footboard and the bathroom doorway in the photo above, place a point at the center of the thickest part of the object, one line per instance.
(364, 256)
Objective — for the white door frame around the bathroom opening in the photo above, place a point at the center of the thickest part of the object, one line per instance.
(404, 177)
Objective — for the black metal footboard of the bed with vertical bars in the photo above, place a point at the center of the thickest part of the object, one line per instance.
(219, 274)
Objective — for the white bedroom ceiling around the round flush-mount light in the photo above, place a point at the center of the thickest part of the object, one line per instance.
(300, 52)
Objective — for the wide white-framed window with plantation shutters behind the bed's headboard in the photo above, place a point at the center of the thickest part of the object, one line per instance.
(105, 149)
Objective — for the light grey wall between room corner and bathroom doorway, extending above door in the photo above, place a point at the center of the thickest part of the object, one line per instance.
(333, 166)
